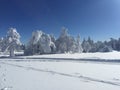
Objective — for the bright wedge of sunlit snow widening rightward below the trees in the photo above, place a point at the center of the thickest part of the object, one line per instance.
(108, 56)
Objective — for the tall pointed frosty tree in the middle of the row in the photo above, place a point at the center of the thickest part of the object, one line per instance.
(66, 43)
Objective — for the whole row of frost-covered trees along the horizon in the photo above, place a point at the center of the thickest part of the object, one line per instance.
(42, 43)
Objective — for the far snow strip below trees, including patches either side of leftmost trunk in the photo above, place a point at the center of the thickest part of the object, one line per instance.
(115, 55)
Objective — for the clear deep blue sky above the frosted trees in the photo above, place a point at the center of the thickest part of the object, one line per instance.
(99, 19)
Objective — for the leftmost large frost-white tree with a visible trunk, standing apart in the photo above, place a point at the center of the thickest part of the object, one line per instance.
(12, 40)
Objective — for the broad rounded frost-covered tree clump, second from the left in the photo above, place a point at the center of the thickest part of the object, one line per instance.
(40, 43)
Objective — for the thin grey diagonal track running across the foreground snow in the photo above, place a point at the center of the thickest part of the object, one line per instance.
(64, 74)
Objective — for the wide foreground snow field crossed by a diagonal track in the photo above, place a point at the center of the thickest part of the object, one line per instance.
(58, 75)
